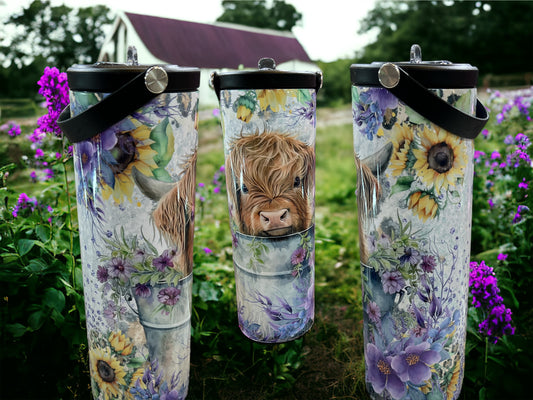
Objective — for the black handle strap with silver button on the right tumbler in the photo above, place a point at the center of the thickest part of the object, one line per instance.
(431, 106)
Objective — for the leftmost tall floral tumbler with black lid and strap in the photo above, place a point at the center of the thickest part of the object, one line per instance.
(134, 134)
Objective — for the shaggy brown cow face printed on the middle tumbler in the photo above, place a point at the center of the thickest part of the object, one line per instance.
(273, 184)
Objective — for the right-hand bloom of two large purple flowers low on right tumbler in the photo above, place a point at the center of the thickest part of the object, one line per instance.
(414, 363)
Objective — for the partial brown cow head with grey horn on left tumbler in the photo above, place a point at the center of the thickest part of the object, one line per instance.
(173, 215)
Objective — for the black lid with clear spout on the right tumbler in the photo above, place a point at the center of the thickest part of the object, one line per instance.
(432, 74)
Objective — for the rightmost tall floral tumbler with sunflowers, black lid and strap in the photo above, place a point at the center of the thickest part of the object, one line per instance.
(414, 125)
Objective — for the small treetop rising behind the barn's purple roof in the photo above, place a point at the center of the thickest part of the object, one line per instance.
(279, 16)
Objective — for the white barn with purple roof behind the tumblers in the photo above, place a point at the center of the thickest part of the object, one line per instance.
(210, 47)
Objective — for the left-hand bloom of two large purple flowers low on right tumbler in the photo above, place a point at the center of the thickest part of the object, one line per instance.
(381, 375)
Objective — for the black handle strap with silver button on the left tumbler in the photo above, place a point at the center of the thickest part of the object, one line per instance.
(115, 107)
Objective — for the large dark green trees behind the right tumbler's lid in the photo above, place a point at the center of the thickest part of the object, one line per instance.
(494, 36)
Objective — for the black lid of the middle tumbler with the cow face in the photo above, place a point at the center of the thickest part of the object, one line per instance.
(266, 77)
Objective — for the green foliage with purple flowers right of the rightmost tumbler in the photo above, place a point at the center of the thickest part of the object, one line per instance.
(502, 184)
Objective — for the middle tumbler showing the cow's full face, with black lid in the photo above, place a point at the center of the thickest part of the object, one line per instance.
(268, 122)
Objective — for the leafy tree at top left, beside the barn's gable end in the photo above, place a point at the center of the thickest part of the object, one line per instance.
(59, 34)
